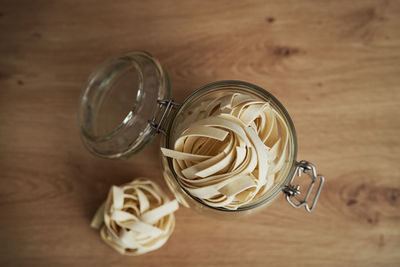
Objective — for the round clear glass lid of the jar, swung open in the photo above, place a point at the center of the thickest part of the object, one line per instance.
(118, 101)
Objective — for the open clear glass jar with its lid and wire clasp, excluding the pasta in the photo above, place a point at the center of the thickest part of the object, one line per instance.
(126, 102)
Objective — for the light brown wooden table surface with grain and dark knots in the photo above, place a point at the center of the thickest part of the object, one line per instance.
(335, 65)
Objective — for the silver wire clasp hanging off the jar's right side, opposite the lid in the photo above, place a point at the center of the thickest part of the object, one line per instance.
(292, 191)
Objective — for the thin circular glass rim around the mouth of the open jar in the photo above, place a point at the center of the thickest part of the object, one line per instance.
(237, 84)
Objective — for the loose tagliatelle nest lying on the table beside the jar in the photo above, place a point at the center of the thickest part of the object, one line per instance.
(138, 217)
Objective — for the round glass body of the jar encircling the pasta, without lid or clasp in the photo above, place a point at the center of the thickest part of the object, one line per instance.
(207, 93)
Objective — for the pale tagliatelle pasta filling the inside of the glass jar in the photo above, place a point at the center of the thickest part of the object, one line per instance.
(230, 150)
